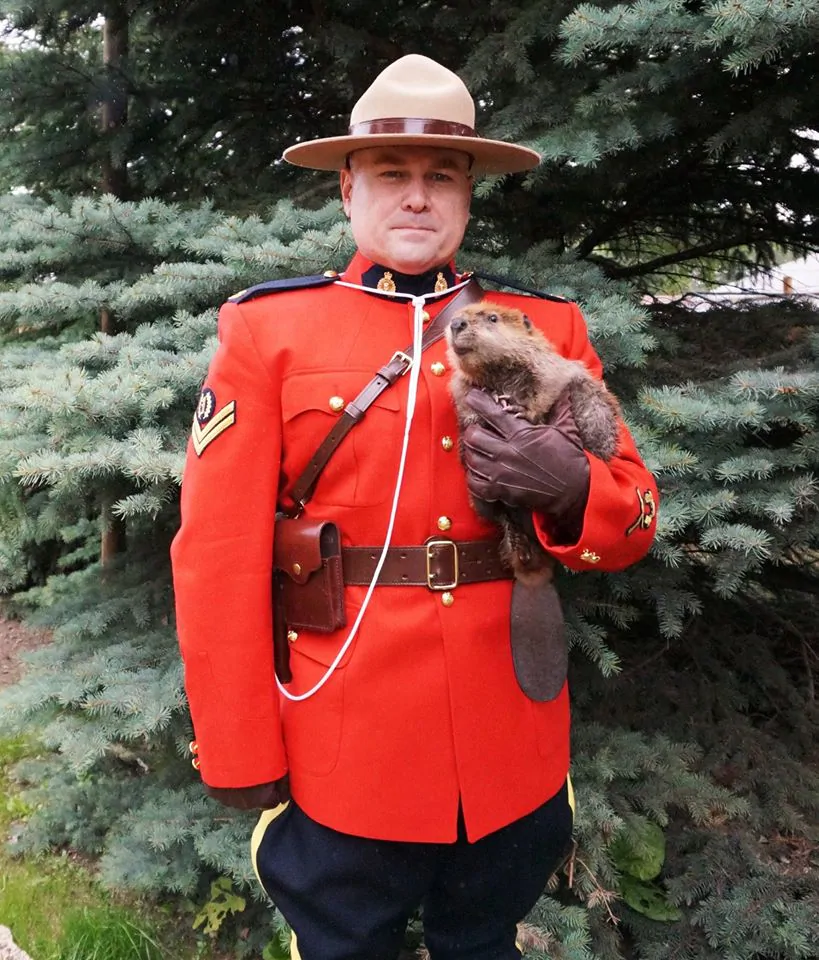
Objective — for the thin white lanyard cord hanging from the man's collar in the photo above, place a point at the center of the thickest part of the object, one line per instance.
(414, 374)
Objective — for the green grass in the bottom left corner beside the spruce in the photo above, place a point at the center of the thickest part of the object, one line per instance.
(57, 911)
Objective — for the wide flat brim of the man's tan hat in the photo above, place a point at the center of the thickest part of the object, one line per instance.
(488, 156)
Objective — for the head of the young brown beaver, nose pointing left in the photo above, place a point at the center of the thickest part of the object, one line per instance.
(485, 338)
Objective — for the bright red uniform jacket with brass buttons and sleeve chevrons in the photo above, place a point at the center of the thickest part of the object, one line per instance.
(424, 709)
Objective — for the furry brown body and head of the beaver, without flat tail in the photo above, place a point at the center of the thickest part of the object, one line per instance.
(499, 349)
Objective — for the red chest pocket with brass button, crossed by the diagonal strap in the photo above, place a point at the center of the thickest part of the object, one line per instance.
(361, 472)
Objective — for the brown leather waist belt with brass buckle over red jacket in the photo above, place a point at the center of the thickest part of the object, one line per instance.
(439, 564)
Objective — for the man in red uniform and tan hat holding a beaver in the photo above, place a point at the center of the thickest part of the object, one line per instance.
(420, 772)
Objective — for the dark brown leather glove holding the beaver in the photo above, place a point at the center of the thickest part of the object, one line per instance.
(541, 467)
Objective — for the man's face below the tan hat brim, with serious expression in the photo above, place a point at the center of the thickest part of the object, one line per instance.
(408, 206)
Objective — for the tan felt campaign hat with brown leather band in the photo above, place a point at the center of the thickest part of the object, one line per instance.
(415, 102)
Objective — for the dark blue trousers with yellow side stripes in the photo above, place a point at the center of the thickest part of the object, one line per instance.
(349, 898)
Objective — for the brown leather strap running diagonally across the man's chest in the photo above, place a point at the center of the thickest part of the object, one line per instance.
(392, 371)
